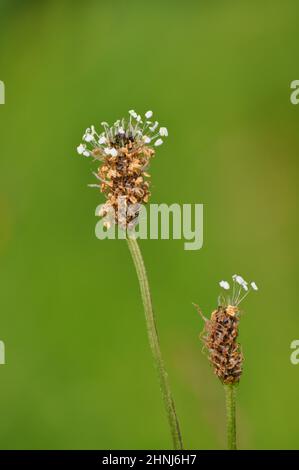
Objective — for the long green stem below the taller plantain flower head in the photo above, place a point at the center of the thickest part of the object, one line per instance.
(154, 343)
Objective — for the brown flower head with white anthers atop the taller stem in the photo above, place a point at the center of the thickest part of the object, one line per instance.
(124, 150)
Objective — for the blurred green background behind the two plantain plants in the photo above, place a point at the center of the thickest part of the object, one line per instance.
(79, 373)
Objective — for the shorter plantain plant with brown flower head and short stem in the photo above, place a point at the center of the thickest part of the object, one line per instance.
(220, 336)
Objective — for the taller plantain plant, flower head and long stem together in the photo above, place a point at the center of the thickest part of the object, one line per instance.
(124, 151)
